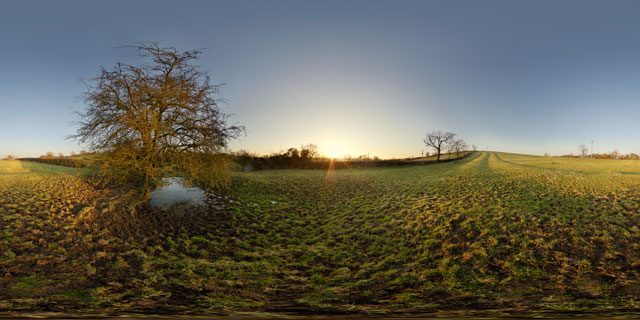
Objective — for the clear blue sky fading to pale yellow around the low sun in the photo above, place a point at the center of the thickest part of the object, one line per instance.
(353, 77)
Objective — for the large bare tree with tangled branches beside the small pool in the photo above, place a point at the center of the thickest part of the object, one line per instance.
(161, 115)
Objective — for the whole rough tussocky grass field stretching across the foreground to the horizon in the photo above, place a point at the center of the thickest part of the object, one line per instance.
(493, 230)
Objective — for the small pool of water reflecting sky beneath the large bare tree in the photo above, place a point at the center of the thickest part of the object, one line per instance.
(173, 191)
